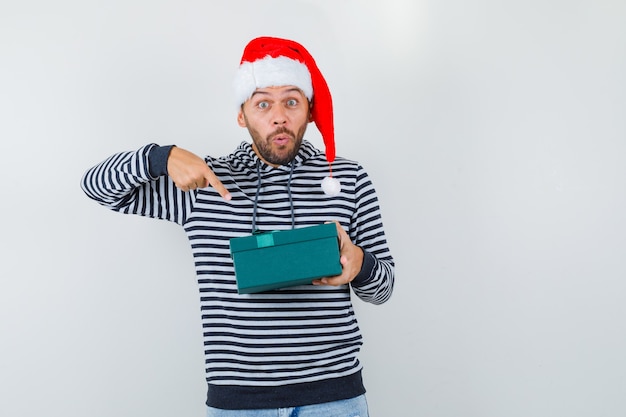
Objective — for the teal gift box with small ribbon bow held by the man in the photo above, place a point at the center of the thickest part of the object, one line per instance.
(279, 259)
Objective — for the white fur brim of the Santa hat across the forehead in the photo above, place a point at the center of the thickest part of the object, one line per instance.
(271, 72)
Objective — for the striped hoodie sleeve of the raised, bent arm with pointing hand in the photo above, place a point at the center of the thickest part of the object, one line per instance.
(136, 182)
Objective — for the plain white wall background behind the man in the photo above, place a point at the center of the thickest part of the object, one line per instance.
(494, 131)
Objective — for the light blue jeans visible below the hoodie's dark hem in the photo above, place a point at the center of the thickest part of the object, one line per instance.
(353, 407)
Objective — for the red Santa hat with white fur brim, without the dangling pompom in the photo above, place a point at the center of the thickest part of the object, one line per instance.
(273, 62)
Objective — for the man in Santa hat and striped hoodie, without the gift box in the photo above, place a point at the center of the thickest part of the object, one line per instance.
(294, 348)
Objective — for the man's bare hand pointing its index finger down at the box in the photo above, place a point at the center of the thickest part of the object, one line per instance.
(189, 171)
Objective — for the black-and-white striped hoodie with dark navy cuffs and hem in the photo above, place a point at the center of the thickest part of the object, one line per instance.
(282, 348)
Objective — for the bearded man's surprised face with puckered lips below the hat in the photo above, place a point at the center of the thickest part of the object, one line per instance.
(276, 118)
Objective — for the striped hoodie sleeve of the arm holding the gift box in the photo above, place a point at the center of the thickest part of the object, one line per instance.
(375, 281)
